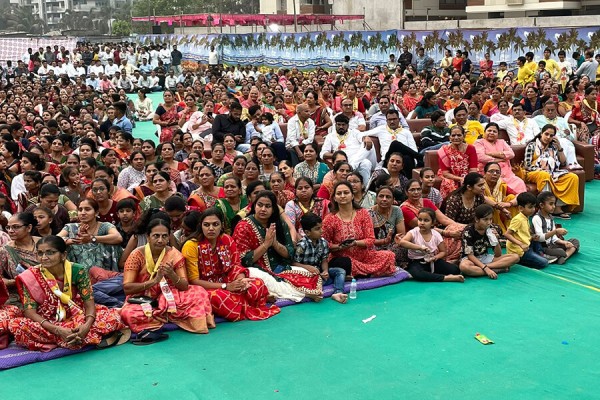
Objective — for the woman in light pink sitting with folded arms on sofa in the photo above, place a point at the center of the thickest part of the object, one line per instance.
(490, 148)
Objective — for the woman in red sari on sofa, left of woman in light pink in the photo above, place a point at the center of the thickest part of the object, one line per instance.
(455, 161)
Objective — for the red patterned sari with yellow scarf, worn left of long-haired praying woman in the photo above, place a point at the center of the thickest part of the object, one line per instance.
(222, 265)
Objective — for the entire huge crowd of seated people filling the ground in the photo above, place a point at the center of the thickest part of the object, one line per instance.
(262, 186)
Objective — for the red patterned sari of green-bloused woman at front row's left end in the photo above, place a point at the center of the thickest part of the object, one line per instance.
(36, 293)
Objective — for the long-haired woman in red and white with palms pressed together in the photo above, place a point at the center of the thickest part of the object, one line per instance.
(267, 250)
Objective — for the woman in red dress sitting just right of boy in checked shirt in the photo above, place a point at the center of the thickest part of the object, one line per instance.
(349, 231)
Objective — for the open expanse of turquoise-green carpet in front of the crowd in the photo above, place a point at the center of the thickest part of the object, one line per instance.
(420, 346)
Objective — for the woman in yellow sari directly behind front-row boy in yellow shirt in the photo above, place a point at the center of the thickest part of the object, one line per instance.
(497, 190)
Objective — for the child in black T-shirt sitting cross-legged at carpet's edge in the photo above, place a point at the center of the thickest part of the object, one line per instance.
(477, 238)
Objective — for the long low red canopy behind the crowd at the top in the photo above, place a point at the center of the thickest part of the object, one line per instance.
(248, 19)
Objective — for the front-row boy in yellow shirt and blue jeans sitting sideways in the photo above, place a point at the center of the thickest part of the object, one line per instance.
(518, 234)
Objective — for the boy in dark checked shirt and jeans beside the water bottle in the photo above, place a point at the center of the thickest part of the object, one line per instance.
(311, 254)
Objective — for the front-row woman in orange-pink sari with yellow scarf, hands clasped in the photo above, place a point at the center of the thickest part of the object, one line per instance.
(155, 282)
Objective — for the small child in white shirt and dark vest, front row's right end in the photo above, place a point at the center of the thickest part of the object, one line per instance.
(551, 241)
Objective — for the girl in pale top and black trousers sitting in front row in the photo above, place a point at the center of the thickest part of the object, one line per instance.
(426, 251)
